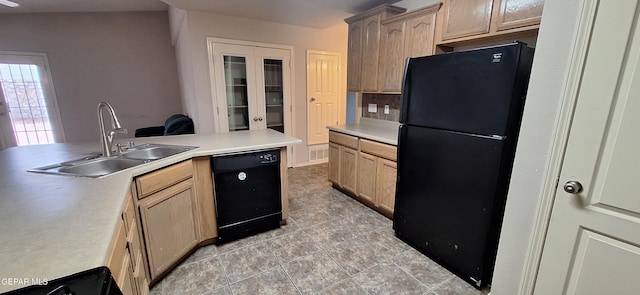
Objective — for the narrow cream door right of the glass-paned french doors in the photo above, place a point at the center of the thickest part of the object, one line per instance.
(323, 78)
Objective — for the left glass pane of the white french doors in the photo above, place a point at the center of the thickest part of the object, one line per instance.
(235, 77)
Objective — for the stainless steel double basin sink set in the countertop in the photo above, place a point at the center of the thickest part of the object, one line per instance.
(97, 166)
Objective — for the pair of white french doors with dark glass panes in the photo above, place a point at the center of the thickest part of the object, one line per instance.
(252, 87)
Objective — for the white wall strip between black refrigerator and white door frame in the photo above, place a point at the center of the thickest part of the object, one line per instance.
(546, 87)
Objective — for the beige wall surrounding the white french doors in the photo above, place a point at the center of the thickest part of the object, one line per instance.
(200, 25)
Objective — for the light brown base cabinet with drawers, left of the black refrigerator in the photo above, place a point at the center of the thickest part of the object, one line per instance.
(364, 169)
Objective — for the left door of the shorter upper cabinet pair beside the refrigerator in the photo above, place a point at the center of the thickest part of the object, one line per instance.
(392, 56)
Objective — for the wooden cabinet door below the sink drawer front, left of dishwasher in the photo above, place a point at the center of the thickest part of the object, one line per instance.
(168, 223)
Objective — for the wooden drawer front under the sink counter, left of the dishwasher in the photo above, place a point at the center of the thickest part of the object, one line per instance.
(163, 178)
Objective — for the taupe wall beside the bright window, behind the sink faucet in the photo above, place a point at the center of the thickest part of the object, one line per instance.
(123, 58)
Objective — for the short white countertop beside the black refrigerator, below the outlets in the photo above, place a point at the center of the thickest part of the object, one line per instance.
(378, 130)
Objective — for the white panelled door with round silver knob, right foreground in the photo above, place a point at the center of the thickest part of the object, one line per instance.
(593, 240)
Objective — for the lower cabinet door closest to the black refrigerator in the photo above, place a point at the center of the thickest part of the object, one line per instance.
(386, 185)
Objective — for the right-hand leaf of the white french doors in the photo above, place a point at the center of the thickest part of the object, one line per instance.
(273, 77)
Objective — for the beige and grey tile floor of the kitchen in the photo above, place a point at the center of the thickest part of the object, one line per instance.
(331, 245)
